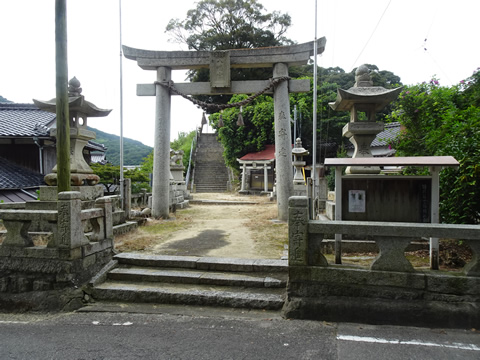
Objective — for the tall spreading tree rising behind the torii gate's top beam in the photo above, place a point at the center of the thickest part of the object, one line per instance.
(229, 24)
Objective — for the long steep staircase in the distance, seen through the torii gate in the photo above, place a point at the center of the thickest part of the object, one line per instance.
(211, 173)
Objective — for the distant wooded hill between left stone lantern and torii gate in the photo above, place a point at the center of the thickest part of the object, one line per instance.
(133, 151)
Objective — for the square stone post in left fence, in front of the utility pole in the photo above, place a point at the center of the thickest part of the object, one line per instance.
(69, 234)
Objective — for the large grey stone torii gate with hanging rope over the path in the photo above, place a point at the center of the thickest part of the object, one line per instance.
(220, 63)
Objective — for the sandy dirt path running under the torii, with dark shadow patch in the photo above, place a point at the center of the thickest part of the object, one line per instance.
(222, 229)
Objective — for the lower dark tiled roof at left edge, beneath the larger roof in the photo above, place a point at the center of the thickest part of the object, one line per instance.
(16, 177)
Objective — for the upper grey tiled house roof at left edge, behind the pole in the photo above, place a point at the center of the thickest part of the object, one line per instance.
(27, 120)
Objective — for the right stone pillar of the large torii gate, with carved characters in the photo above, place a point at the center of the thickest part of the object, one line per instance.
(283, 142)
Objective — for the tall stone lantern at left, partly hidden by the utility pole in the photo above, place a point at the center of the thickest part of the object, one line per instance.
(79, 109)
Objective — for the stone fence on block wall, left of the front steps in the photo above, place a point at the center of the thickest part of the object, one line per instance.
(77, 244)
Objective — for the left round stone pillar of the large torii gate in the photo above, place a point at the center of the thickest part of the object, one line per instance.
(161, 154)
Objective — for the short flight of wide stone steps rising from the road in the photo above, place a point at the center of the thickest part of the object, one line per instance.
(190, 280)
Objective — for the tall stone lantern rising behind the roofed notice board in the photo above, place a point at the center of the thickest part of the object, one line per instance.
(363, 97)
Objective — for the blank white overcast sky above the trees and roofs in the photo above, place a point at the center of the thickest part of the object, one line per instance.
(355, 30)
